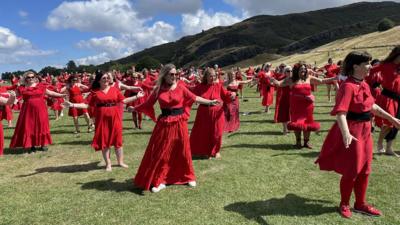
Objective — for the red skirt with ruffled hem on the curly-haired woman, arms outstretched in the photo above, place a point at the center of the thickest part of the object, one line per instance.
(301, 115)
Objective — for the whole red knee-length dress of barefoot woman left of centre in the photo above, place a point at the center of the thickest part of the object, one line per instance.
(108, 127)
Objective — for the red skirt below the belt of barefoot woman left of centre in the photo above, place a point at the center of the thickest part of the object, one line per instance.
(108, 128)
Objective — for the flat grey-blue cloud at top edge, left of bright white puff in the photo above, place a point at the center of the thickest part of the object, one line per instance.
(148, 8)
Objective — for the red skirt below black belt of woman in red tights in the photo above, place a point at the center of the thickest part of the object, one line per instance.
(348, 162)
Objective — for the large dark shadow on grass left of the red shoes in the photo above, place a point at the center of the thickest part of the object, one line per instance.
(290, 205)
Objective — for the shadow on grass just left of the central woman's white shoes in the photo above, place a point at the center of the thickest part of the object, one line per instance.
(112, 185)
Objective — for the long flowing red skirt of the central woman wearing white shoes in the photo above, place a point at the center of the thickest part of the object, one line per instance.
(167, 159)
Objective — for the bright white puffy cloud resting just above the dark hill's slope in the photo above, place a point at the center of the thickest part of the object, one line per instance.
(195, 23)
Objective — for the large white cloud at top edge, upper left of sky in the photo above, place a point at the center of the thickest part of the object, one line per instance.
(94, 15)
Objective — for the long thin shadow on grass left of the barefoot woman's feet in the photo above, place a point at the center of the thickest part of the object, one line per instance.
(66, 169)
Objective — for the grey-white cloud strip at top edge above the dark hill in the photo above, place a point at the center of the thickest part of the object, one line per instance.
(279, 7)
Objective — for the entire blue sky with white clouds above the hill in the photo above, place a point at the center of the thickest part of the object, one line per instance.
(35, 34)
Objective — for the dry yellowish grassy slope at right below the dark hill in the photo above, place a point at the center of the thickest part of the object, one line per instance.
(378, 44)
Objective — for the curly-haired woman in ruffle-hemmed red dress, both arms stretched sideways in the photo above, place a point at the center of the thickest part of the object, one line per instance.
(302, 102)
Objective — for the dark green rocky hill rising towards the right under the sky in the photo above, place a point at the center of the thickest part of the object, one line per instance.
(270, 35)
